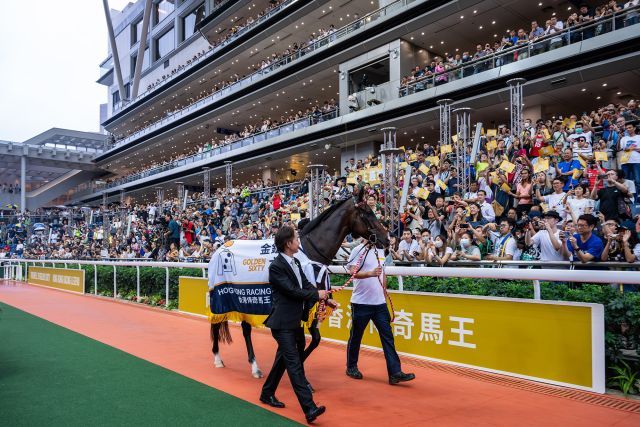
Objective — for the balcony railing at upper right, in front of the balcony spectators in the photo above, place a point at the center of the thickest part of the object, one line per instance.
(566, 37)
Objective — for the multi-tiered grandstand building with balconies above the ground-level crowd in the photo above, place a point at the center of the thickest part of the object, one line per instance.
(271, 87)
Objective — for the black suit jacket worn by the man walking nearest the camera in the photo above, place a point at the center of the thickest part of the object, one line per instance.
(290, 303)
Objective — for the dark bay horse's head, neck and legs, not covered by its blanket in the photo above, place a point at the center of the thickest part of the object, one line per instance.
(320, 239)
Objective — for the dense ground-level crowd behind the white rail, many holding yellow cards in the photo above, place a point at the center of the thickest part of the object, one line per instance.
(562, 190)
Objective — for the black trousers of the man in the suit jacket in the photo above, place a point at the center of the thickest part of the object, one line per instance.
(289, 356)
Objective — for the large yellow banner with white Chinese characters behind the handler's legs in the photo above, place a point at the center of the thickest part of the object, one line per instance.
(556, 342)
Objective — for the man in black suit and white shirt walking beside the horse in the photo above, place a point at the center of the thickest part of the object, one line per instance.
(292, 295)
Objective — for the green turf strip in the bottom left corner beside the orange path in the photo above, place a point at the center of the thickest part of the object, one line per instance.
(50, 375)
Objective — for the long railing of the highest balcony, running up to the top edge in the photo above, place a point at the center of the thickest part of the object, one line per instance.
(260, 74)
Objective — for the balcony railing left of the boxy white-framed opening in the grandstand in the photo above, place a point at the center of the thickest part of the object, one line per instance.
(242, 142)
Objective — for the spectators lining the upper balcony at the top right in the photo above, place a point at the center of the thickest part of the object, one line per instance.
(582, 24)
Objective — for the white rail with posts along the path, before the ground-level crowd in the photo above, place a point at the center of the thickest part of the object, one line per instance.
(13, 270)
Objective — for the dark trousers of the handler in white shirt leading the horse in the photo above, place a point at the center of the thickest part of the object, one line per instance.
(361, 314)
